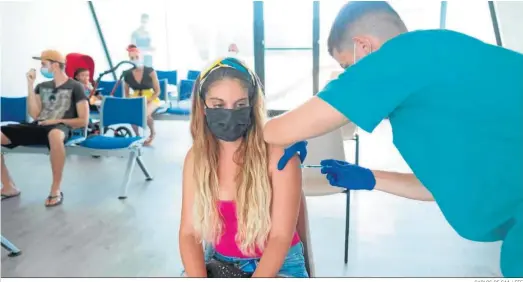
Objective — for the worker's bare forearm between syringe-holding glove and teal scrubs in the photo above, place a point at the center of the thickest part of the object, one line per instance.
(401, 184)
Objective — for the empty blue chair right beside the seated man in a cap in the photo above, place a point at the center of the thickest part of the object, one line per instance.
(116, 111)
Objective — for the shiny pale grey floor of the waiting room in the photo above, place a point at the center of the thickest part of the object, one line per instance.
(94, 234)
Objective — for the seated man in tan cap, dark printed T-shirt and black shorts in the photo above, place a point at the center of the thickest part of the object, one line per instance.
(57, 107)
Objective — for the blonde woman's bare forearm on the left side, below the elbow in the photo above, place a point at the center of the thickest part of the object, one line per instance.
(192, 256)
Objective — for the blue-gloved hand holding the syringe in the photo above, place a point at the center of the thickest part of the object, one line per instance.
(346, 175)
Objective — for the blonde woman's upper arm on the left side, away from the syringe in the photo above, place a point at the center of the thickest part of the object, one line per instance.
(186, 226)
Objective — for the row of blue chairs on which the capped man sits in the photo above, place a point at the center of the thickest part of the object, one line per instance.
(114, 111)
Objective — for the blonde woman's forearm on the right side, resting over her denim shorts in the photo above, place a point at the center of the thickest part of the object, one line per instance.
(273, 257)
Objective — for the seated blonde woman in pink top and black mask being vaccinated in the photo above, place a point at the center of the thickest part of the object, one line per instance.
(234, 197)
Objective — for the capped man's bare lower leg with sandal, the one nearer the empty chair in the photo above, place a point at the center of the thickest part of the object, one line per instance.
(57, 154)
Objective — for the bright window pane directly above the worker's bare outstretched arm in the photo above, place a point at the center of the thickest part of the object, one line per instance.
(288, 53)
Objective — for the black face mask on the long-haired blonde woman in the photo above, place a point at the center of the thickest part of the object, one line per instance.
(228, 125)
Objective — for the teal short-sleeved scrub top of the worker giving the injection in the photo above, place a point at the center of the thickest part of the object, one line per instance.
(455, 105)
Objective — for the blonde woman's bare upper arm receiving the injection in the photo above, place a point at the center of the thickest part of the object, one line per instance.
(286, 195)
